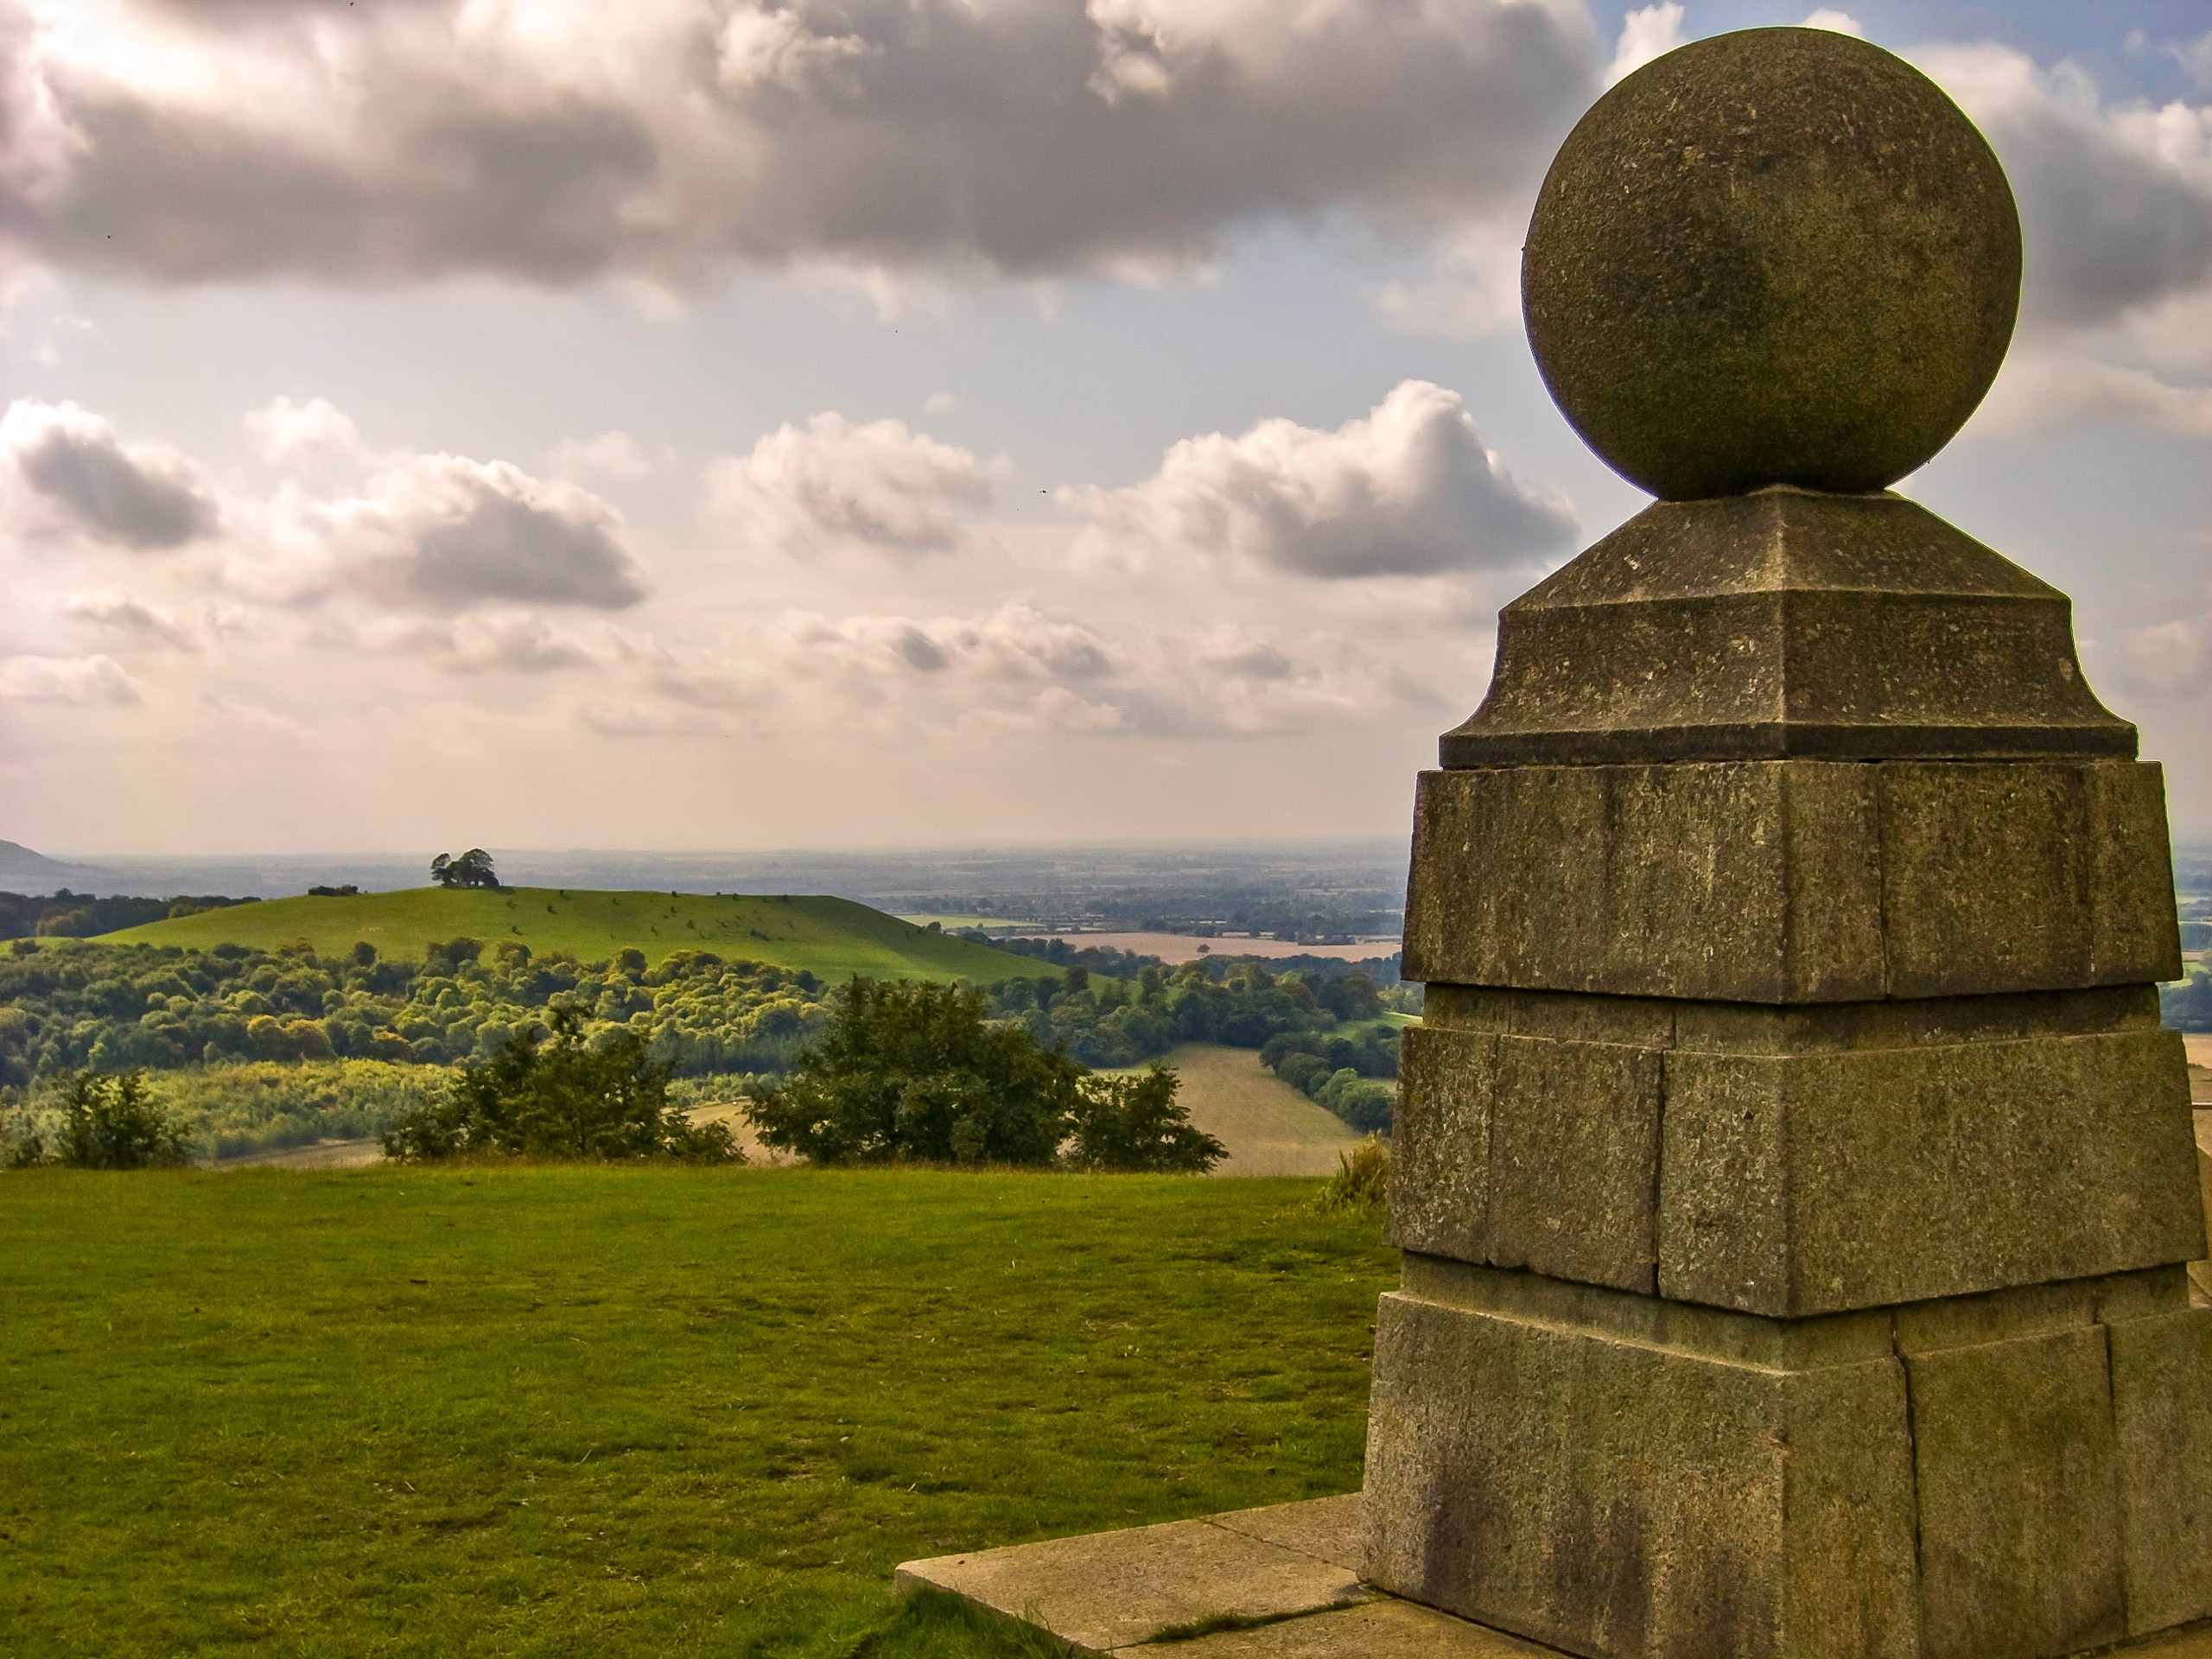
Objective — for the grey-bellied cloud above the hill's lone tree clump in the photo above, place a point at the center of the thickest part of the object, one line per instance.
(505, 547)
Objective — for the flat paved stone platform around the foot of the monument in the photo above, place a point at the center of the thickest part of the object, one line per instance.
(1253, 1585)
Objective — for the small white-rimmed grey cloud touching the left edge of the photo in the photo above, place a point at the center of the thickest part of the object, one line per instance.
(140, 497)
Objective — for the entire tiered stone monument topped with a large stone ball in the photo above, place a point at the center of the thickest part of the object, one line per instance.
(1793, 1178)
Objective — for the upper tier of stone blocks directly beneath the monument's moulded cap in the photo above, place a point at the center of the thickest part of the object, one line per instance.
(1788, 881)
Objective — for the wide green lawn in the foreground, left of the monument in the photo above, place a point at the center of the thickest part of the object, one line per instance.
(634, 1412)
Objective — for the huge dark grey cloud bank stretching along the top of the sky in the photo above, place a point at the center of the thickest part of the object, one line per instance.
(565, 140)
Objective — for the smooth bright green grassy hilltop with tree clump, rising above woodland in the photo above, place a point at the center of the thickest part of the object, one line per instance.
(833, 937)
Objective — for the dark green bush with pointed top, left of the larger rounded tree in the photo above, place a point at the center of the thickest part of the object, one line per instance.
(556, 1096)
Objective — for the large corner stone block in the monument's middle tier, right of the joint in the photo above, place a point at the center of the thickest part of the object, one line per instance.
(1815, 1182)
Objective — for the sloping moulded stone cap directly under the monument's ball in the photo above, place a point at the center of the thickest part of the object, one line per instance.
(1786, 625)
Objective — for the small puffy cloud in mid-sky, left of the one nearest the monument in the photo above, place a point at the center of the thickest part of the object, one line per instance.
(839, 483)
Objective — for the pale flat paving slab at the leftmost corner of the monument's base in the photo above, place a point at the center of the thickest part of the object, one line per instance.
(1116, 1589)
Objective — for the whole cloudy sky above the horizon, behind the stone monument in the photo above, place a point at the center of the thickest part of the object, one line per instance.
(897, 424)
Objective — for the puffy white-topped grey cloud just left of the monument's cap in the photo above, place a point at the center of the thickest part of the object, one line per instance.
(1408, 490)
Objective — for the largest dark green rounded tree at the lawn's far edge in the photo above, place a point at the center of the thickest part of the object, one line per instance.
(915, 1072)
